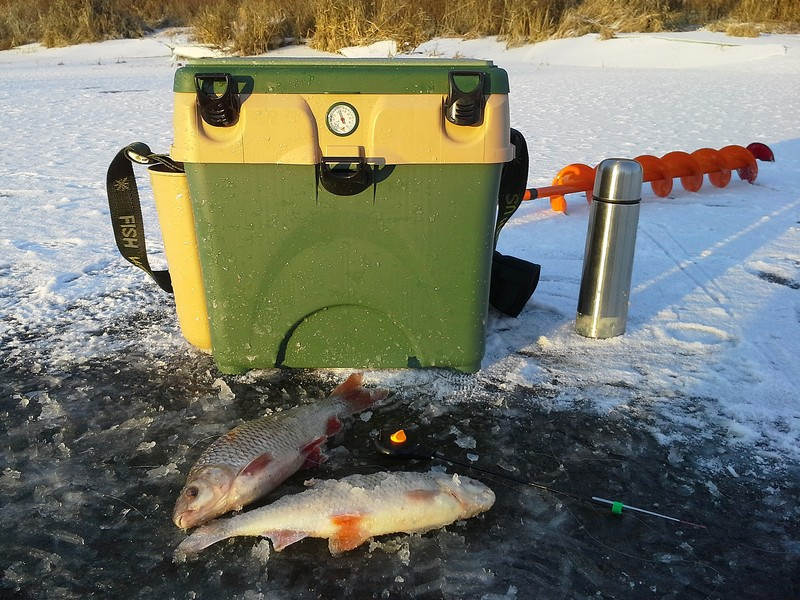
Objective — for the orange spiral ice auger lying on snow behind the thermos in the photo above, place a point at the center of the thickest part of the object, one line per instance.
(660, 172)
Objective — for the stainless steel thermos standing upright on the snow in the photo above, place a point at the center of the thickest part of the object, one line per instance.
(610, 243)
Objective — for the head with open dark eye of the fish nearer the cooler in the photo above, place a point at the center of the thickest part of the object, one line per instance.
(206, 495)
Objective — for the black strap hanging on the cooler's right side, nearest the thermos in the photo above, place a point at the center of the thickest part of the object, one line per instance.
(513, 279)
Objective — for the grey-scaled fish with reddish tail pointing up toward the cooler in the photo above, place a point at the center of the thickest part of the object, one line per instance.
(251, 460)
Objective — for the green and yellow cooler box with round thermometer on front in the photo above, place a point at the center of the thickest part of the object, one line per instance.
(344, 209)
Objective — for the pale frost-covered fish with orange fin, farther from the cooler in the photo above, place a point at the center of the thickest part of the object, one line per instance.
(351, 510)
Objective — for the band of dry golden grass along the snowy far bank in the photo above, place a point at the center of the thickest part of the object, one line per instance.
(254, 26)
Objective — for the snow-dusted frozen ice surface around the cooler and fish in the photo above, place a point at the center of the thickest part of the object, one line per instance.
(692, 414)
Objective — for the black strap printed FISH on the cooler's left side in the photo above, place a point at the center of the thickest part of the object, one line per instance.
(125, 208)
